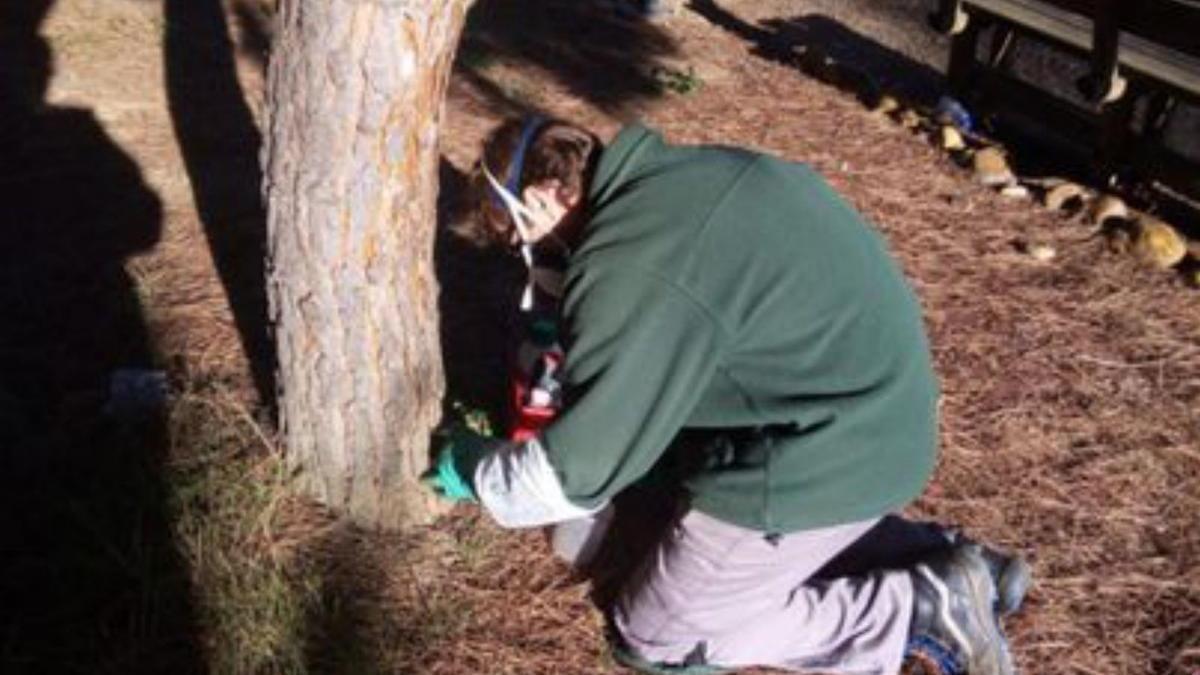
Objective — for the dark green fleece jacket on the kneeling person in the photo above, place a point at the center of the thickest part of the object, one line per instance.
(721, 289)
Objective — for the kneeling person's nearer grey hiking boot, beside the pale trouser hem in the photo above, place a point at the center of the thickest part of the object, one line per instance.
(955, 628)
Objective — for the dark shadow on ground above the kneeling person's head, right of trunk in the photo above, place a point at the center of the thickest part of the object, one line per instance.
(597, 55)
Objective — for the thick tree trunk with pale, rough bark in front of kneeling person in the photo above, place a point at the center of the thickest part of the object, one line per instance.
(355, 105)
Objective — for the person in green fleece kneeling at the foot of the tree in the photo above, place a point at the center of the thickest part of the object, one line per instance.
(721, 290)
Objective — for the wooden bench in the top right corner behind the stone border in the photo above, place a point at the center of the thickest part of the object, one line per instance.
(1136, 50)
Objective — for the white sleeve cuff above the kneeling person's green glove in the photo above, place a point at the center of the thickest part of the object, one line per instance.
(519, 487)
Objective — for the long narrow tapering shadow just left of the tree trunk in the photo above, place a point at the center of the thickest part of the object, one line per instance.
(220, 144)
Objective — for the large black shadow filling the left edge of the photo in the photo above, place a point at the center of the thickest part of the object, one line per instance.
(91, 580)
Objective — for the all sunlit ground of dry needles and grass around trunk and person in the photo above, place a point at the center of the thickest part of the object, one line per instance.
(1070, 431)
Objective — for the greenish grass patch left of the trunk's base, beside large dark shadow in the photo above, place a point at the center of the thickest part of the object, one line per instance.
(226, 500)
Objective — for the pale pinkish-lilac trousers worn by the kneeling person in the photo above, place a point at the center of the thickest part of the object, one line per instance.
(713, 593)
